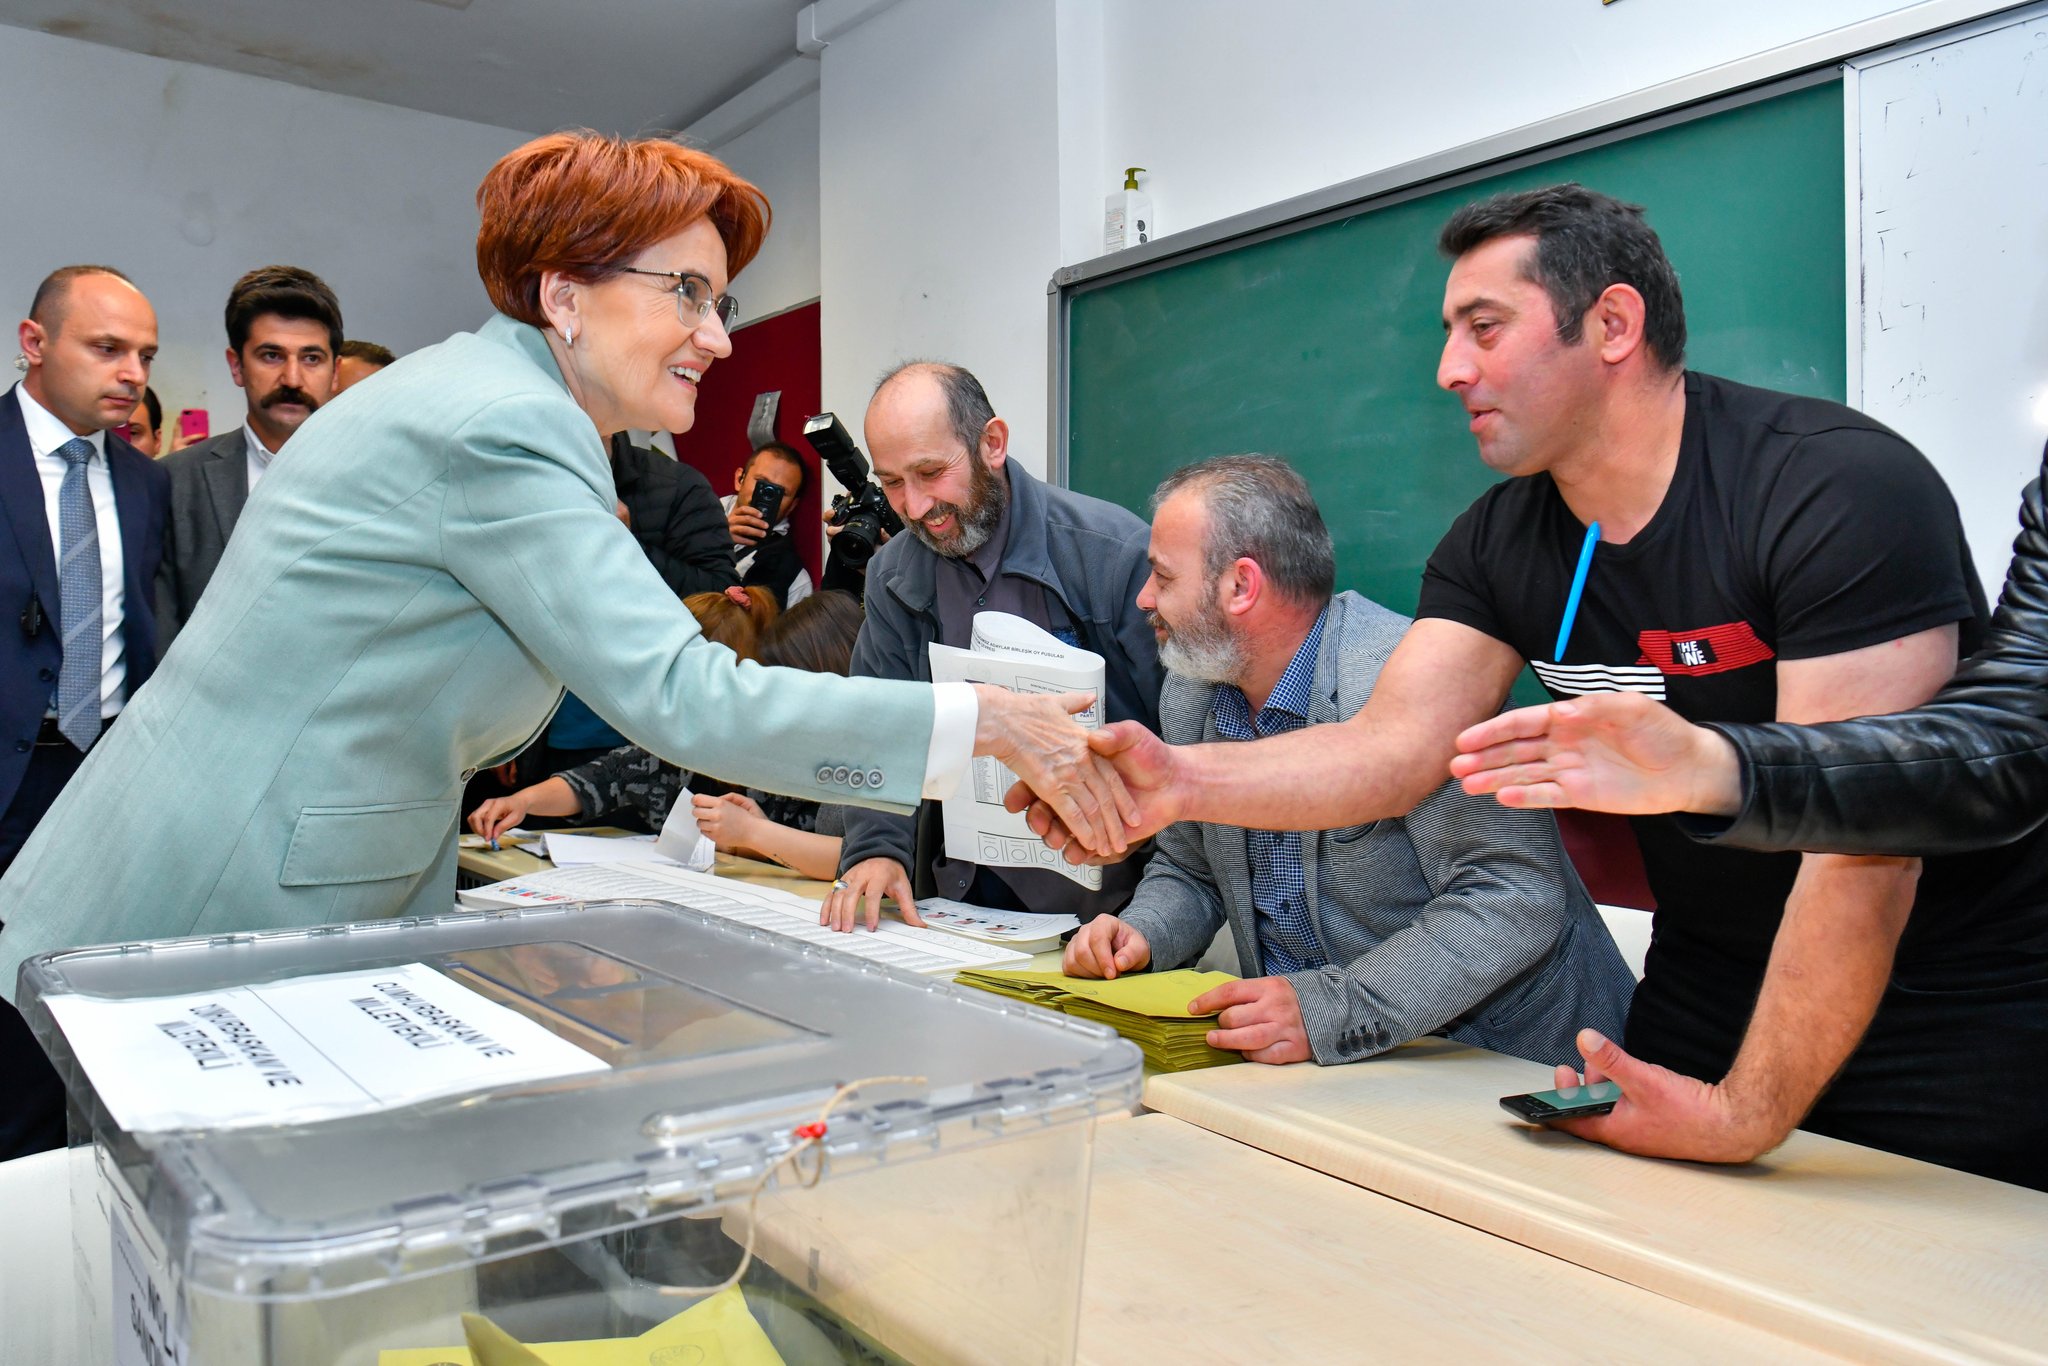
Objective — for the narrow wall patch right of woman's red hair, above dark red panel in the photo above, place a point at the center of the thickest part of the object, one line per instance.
(779, 155)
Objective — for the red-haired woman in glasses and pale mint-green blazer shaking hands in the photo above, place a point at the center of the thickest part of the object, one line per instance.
(435, 560)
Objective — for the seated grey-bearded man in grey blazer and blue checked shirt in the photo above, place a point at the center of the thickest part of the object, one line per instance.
(1461, 919)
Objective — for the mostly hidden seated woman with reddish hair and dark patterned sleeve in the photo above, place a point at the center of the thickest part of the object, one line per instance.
(632, 781)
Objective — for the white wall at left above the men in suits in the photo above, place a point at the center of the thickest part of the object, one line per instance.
(185, 177)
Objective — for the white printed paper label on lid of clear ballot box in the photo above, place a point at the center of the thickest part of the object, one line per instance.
(304, 1050)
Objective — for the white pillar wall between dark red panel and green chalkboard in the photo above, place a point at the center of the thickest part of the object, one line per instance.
(939, 179)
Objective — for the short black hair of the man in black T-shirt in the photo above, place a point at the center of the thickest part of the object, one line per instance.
(1584, 245)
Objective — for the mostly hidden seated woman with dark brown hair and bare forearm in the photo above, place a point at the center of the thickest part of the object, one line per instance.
(816, 636)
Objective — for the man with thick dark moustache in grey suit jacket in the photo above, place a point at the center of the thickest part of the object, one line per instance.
(284, 339)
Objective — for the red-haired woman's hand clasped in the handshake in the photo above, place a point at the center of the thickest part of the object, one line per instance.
(1058, 761)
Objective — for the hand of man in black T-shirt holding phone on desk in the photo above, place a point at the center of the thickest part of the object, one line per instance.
(1664, 1113)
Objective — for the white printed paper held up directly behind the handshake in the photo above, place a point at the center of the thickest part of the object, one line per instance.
(1023, 658)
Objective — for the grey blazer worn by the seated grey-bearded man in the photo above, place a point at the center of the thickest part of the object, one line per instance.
(1461, 919)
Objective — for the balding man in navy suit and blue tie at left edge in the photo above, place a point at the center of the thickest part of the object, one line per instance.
(79, 554)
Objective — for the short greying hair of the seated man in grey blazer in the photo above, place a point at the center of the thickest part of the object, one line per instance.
(1261, 509)
